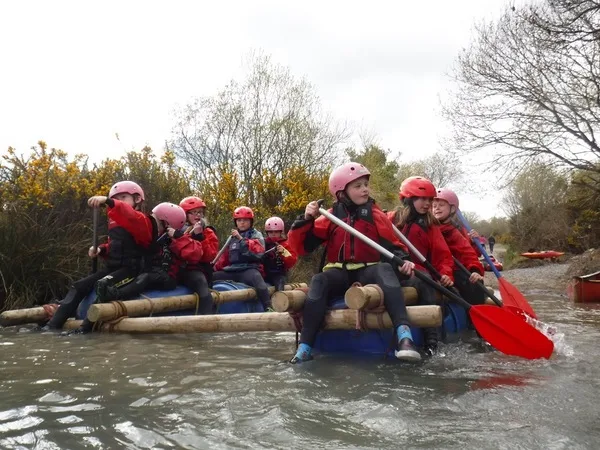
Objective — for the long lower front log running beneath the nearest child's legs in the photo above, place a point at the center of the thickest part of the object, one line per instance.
(342, 319)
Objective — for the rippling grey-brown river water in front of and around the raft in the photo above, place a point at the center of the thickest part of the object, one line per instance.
(237, 391)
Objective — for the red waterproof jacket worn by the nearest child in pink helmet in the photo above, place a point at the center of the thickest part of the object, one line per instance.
(342, 247)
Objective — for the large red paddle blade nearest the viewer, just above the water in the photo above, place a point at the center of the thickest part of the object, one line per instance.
(509, 334)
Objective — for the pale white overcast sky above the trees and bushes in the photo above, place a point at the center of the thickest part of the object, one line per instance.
(77, 74)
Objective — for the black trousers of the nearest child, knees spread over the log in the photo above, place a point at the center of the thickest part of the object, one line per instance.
(332, 283)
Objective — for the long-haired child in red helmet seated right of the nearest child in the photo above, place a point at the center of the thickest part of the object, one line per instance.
(414, 220)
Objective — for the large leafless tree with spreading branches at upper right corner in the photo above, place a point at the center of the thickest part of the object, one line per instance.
(528, 88)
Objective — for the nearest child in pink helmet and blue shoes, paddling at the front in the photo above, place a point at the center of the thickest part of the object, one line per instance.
(349, 259)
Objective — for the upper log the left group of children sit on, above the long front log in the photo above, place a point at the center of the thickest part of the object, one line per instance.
(146, 307)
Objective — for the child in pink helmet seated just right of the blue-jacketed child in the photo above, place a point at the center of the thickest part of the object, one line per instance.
(279, 256)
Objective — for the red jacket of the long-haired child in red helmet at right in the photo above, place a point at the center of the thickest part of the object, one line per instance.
(431, 244)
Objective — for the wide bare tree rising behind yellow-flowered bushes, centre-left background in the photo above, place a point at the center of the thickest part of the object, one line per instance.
(270, 121)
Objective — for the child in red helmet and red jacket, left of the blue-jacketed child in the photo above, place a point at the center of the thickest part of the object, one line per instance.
(194, 247)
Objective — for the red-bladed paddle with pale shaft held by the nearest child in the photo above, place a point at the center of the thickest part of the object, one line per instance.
(490, 321)
